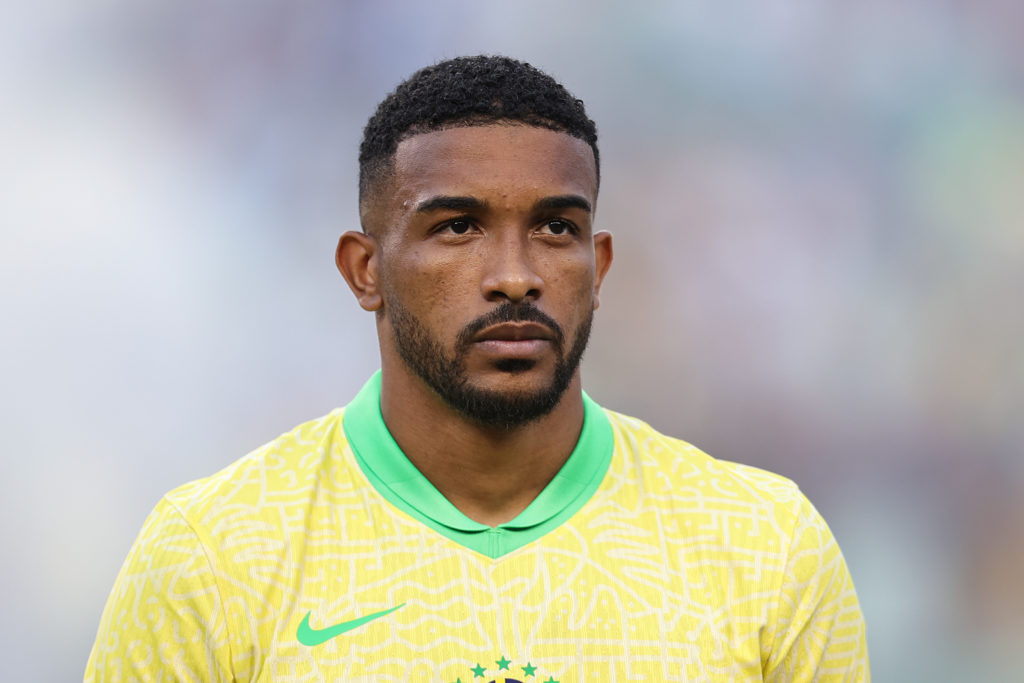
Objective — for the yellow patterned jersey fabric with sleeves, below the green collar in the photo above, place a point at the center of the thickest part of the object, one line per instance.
(680, 568)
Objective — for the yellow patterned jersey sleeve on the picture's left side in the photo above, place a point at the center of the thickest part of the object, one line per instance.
(164, 620)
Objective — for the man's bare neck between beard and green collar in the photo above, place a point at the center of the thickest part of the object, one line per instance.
(490, 474)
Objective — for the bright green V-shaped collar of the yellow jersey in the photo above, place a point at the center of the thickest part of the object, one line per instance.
(401, 484)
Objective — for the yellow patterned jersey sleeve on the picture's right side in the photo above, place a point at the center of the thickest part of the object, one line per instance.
(818, 631)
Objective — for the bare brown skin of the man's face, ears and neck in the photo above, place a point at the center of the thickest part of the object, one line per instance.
(477, 222)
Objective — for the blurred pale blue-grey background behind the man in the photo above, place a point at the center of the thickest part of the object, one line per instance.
(819, 212)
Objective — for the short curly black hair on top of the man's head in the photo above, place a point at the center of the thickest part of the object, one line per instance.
(468, 92)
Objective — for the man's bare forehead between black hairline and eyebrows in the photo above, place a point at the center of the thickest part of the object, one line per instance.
(502, 160)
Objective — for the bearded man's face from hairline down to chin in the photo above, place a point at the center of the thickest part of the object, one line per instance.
(488, 268)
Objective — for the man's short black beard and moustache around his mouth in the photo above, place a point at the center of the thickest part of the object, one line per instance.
(447, 375)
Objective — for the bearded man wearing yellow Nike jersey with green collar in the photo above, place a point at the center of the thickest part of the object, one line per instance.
(473, 516)
